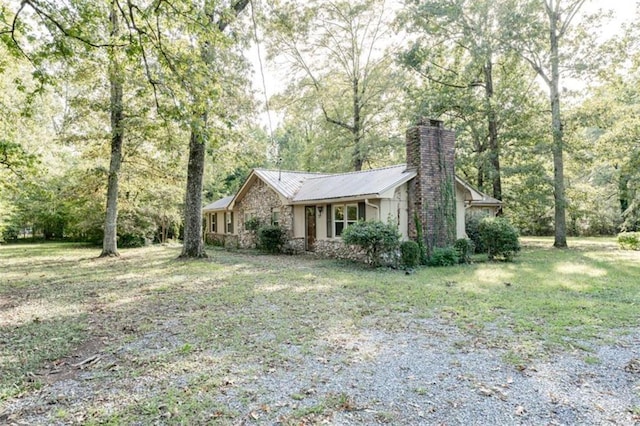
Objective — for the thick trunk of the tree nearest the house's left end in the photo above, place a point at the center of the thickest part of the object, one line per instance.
(193, 246)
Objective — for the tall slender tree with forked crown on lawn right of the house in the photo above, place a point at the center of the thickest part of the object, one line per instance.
(537, 30)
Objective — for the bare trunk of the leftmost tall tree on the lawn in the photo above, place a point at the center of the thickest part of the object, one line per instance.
(110, 240)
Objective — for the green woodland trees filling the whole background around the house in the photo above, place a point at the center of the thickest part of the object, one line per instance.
(121, 118)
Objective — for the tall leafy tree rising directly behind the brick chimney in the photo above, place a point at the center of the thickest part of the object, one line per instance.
(458, 53)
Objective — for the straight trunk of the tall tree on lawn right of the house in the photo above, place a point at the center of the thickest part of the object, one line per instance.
(558, 148)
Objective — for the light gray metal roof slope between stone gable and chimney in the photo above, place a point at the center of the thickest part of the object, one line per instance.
(369, 182)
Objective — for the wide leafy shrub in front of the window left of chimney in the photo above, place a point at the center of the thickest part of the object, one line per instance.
(376, 238)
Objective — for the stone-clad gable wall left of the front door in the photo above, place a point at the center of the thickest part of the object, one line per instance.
(261, 201)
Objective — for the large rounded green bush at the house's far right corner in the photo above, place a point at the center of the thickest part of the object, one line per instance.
(499, 238)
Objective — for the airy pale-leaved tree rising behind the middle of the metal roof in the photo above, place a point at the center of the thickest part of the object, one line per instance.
(333, 50)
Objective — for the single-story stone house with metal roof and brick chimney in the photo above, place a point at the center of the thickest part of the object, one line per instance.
(314, 208)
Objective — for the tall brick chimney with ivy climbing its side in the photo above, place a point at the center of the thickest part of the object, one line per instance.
(432, 199)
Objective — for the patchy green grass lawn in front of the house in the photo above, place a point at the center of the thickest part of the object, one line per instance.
(135, 326)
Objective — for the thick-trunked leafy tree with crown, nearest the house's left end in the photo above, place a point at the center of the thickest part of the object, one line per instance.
(185, 52)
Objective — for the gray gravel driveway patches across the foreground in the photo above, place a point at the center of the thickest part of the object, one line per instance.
(428, 373)
